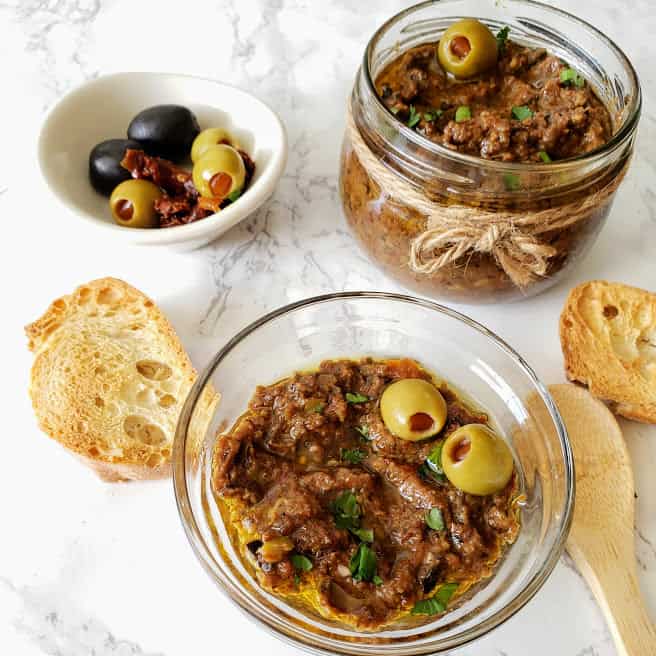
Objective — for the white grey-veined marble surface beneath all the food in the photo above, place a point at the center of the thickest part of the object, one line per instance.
(92, 569)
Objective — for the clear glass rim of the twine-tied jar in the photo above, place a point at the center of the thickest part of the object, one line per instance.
(616, 141)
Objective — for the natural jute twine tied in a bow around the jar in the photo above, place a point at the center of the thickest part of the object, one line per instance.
(453, 230)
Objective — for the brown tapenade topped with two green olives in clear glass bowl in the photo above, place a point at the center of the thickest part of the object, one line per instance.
(334, 488)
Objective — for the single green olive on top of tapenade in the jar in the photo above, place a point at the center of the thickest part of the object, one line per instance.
(467, 48)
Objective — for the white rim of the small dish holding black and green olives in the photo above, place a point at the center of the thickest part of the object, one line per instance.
(256, 195)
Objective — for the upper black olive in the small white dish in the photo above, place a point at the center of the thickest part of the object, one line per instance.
(165, 131)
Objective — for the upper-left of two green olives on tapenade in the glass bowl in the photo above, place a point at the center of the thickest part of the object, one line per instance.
(413, 409)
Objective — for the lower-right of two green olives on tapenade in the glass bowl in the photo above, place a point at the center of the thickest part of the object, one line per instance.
(476, 460)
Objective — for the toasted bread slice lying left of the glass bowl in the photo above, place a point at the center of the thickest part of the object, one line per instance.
(109, 379)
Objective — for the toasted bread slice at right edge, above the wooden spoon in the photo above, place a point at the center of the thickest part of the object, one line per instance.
(608, 337)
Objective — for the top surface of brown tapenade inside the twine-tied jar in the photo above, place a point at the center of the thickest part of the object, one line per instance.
(528, 106)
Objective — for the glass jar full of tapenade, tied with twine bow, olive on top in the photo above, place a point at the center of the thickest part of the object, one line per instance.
(491, 181)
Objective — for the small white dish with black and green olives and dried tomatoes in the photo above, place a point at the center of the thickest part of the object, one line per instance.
(133, 151)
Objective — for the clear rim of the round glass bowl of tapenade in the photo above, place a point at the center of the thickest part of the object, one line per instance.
(278, 626)
